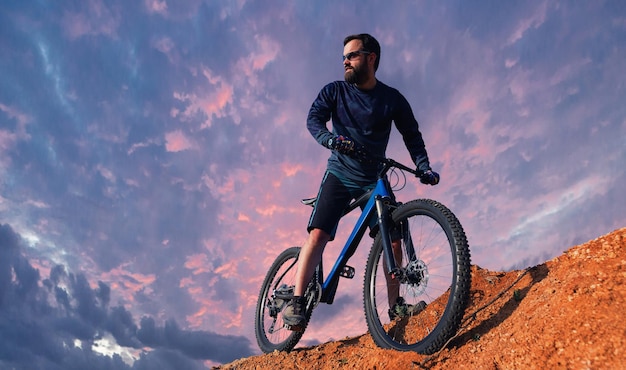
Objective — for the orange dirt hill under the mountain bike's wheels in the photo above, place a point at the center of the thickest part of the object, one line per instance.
(568, 313)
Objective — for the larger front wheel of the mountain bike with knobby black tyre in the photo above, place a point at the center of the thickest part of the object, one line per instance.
(433, 280)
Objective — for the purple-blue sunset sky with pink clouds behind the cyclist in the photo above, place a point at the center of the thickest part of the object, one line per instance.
(153, 154)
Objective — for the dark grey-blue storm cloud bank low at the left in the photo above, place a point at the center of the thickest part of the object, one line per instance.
(41, 319)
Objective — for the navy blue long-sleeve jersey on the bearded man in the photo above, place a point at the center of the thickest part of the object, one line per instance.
(364, 116)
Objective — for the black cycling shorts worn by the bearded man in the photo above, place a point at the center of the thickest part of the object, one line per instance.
(333, 198)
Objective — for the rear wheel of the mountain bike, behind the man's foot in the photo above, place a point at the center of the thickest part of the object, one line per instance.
(275, 292)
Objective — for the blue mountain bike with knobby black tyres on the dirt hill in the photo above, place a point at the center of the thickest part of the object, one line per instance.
(433, 273)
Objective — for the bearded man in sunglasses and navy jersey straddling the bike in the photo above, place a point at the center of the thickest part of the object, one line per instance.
(362, 109)
